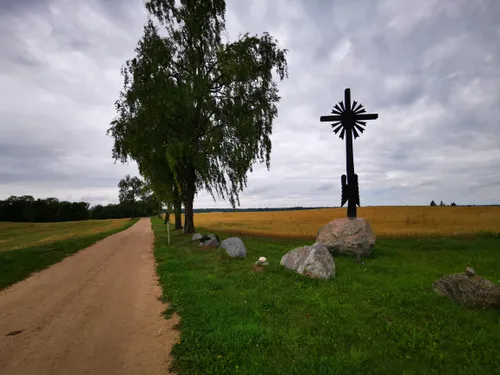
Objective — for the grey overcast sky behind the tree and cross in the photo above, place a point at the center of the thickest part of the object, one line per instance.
(429, 68)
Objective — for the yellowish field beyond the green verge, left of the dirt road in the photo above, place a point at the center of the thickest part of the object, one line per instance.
(21, 235)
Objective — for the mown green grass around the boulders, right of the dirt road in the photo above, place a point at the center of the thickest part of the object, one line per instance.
(380, 317)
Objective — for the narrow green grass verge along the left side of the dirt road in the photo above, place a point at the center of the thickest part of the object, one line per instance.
(18, 264)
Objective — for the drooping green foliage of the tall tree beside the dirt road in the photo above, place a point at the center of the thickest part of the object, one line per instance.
(196, 108)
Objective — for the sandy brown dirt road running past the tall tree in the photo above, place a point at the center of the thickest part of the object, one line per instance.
(96, 312)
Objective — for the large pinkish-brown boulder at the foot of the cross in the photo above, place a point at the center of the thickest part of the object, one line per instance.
(348, 236)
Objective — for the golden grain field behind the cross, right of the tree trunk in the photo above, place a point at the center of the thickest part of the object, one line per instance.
(385, 221)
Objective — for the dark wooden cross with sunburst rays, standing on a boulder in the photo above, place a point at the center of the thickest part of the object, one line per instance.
(349, 120)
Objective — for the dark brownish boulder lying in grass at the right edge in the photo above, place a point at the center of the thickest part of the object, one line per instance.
(468, 289)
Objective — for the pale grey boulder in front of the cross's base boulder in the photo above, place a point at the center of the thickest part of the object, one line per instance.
(313, 261)
